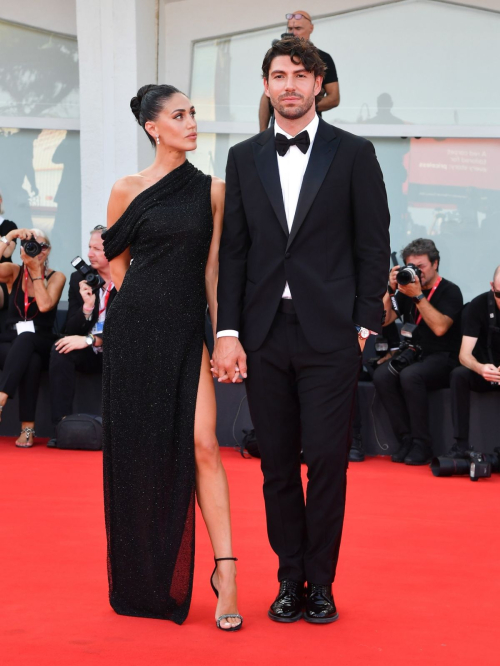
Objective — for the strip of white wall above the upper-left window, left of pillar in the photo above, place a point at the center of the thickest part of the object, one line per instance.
(52, 15)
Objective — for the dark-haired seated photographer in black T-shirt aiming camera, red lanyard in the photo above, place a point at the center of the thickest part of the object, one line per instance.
(430, 308)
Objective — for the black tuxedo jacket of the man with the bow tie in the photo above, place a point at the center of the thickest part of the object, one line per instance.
(336, 256)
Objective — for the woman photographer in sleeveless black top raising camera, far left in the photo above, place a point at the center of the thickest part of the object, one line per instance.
(25, 346)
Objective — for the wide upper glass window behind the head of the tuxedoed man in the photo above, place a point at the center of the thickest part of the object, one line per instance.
(413, 62)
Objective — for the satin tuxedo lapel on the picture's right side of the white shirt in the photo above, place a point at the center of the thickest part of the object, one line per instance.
(322, 153)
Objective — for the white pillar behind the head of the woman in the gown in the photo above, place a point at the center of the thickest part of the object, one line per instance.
(117, 49)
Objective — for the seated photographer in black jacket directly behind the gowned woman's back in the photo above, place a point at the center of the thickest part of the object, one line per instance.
(91, 292)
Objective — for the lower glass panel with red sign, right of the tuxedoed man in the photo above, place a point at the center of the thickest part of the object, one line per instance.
(447, 190)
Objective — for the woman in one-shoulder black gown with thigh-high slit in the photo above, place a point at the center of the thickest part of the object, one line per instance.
(158, 396)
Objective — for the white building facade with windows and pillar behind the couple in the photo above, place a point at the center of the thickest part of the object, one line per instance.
(417, 77)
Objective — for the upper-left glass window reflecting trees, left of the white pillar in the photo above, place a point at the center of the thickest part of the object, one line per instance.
(38, 73)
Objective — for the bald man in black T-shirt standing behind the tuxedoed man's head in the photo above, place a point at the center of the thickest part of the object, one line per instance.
(299, 24)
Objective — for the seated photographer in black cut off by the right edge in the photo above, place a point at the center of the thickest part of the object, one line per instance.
(480, 359)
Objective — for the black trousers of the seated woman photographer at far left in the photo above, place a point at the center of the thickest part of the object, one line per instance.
(22, 361)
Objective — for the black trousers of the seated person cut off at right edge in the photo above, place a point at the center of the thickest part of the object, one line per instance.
(462, 382)
